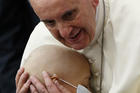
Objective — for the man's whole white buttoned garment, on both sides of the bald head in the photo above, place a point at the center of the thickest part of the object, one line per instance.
(118, 70)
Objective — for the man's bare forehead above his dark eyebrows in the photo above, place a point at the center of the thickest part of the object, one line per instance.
(53, 6)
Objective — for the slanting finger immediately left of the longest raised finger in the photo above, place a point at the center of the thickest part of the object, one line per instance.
(40, 87)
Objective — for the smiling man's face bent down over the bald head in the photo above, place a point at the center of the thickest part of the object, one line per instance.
(72, 22)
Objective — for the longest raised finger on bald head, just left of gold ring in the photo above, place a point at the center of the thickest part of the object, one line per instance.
(51, 87)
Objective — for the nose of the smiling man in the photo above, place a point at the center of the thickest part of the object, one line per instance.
(65, 31)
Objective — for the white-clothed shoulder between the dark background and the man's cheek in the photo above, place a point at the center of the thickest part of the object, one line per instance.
(39, 37)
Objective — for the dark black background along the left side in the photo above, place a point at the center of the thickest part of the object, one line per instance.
(17, 21)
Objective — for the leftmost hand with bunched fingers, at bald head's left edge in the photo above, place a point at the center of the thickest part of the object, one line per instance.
(22, 81)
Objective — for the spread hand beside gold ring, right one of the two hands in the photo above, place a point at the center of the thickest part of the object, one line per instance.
(50, 86)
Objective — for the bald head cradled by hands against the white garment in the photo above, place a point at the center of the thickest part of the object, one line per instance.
(67, 64)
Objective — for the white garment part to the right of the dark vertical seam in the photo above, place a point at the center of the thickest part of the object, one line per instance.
(122, 48)
